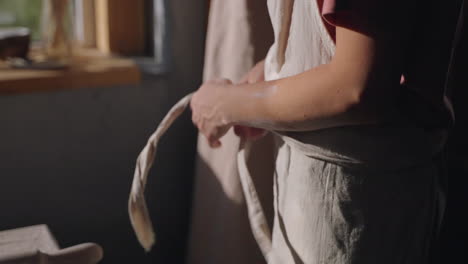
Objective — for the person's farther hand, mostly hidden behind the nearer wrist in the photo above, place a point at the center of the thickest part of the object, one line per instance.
(256, 74)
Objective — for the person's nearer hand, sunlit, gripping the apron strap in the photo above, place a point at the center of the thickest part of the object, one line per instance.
(212, 110)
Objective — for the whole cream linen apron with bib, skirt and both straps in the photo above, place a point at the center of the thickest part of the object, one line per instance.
(352, 194)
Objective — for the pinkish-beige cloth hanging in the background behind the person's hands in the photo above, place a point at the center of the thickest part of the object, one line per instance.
(239, 34)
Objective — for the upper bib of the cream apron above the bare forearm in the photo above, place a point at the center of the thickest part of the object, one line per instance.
(308, 43)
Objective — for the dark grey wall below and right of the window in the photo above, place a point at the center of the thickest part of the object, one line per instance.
(67, 157)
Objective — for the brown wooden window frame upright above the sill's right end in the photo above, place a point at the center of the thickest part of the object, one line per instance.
(148, 46)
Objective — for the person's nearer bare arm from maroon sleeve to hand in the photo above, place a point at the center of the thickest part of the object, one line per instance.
(355, 87)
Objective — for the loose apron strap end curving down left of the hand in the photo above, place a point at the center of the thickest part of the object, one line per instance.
(137, 209)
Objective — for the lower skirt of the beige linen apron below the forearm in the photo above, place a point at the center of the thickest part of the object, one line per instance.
(361, 194)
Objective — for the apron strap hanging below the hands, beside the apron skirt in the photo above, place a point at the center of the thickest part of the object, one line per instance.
(258, 222)
